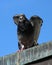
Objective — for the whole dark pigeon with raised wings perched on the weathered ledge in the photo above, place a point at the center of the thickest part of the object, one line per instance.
(27, 30)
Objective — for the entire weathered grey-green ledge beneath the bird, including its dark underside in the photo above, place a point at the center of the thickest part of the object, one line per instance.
(35, 56)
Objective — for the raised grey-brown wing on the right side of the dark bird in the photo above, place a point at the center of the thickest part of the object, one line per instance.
(36, 22)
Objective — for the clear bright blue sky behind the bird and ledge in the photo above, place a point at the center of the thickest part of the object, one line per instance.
(9, 8)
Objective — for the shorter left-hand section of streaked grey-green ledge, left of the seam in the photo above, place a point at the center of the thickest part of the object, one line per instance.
(9, 59)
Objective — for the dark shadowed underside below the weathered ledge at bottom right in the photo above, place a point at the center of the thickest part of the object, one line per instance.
(44, 61)
